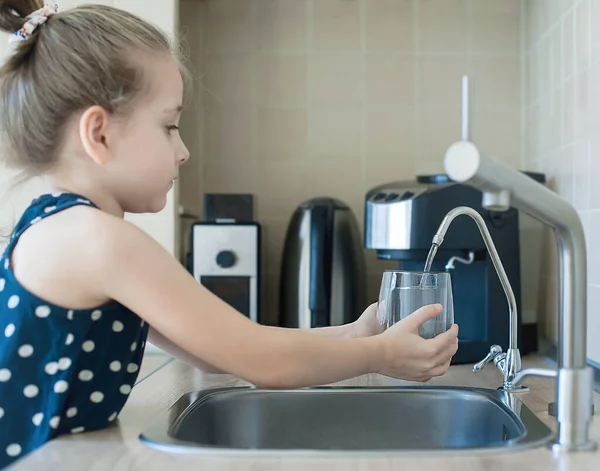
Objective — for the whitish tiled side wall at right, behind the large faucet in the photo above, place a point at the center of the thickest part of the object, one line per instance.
(562, 103)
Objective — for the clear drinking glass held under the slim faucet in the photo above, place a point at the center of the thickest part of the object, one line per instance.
(403, 292)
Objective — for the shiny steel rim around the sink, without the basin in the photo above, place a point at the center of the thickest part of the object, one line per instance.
(158, 436)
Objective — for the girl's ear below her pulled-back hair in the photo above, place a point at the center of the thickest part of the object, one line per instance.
(93, 131)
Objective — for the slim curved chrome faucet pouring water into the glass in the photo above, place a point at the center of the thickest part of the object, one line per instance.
(508, 363)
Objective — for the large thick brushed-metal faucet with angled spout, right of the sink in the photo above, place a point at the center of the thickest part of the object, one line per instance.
(503, 186)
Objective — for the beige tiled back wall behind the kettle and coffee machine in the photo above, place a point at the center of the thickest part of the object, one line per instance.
(305, 98)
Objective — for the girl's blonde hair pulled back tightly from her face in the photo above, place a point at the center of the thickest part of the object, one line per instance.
(81, 57)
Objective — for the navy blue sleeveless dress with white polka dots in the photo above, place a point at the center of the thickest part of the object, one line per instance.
(61, 370)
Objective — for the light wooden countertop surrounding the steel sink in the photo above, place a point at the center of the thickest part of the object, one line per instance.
(118, 447)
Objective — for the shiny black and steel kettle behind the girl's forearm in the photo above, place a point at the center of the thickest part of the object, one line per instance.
(323, 274)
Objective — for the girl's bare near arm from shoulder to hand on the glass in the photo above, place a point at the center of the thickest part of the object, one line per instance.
(82, 257)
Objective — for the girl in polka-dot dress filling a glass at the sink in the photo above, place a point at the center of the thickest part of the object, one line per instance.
(90, 100)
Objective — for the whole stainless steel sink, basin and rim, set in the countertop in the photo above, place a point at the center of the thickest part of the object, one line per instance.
(365, 419)
